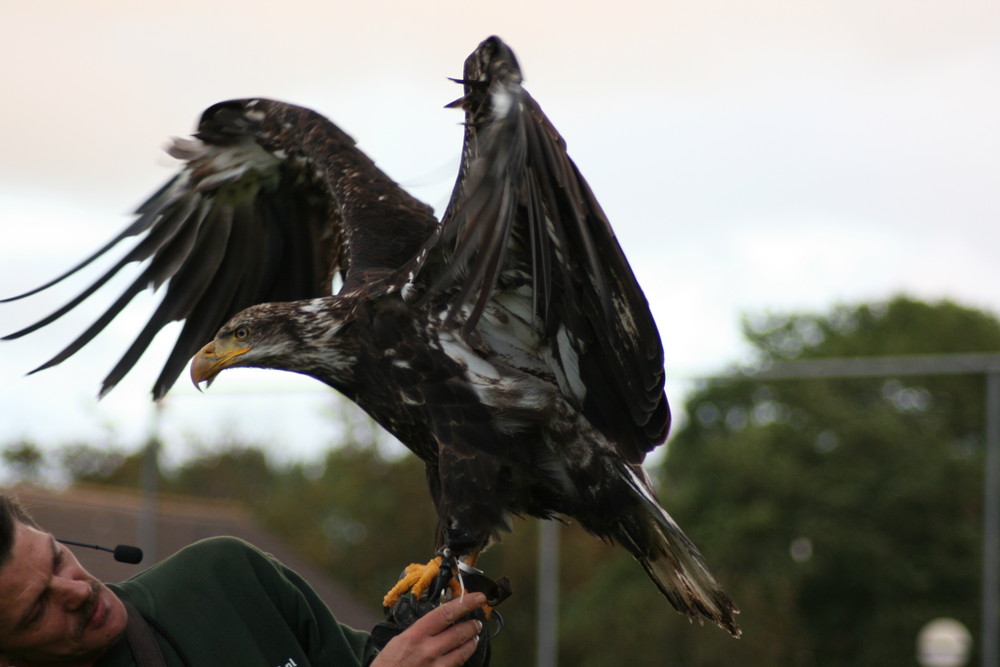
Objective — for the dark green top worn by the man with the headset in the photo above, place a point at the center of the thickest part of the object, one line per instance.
(224, 603)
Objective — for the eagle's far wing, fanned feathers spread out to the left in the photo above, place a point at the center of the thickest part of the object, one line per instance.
(272, 201)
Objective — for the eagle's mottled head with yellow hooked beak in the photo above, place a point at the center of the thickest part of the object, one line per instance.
(296, 336)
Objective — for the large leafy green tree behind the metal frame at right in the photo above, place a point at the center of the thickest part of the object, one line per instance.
(842, 514)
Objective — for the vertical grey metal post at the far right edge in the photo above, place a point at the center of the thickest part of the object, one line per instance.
(991, 525)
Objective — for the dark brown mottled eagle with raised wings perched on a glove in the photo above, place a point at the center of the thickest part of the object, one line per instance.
(508, 346)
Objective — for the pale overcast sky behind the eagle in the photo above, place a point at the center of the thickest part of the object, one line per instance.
(757, 155)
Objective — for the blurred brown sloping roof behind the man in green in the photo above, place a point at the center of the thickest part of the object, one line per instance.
(108, 517)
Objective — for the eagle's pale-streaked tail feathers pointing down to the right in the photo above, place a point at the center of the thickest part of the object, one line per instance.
(673, 562)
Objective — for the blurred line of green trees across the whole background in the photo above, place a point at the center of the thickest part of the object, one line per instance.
(841, 515)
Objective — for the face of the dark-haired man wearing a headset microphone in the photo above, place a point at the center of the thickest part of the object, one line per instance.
(52, 610)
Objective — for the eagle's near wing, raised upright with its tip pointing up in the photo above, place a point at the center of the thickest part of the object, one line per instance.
(523, 219)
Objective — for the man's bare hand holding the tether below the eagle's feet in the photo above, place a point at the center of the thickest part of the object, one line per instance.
(432, 641)
